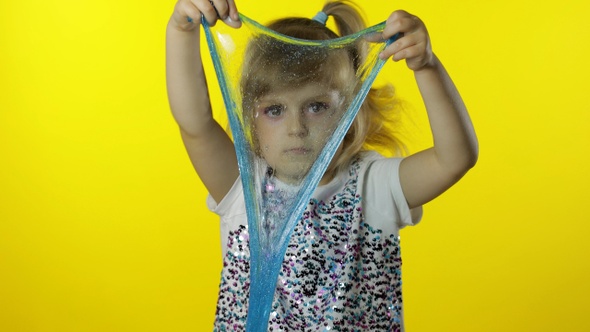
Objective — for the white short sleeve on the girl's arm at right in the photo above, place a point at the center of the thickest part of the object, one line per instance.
(384, 199)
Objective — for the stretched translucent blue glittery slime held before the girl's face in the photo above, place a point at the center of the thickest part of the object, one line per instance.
(251, 64)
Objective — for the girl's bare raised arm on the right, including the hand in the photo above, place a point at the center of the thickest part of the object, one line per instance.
(428, 173)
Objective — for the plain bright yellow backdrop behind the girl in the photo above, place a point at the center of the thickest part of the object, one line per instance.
(103, 224)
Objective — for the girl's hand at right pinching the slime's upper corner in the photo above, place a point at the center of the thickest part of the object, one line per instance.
(413, 44)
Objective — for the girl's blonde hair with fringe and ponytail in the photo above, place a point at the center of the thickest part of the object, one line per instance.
(377, 121)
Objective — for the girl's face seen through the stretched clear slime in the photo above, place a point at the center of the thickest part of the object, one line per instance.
(292, 126)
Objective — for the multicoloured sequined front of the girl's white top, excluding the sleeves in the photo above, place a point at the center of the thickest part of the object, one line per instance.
(338, 273)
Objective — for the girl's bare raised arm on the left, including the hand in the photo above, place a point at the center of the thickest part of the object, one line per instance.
(209, 147)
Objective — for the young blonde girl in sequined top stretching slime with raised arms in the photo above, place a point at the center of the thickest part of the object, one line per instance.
(342, 267)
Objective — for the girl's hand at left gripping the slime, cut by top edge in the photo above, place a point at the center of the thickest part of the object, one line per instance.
(187, 13)
